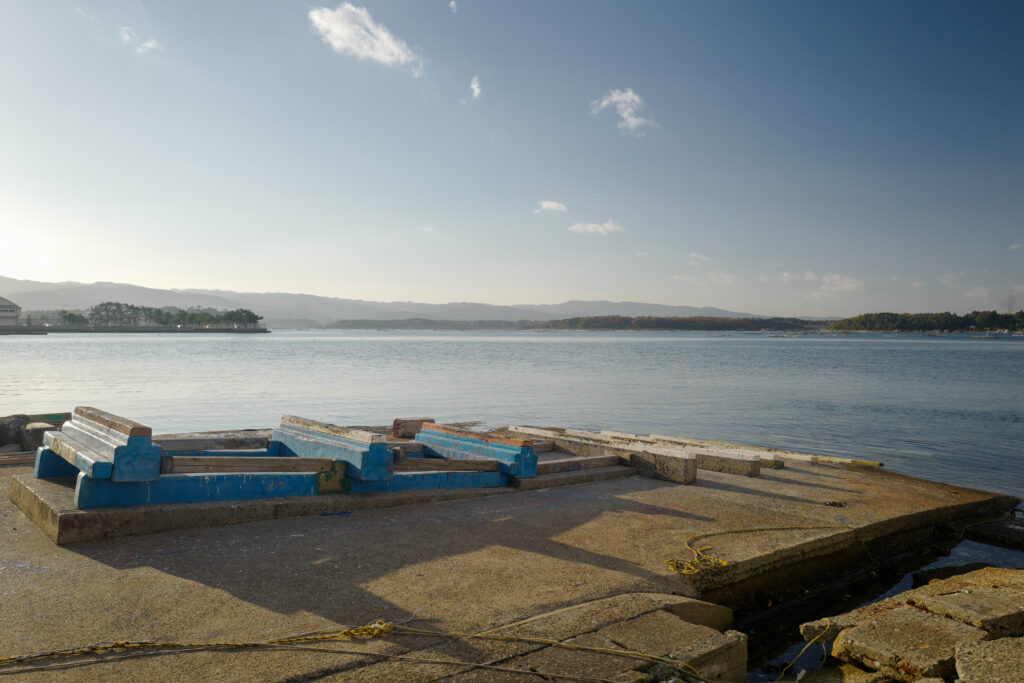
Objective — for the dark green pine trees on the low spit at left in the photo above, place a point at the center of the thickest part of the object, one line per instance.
(115, 314)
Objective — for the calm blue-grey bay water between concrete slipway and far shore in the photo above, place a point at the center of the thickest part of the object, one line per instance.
(948, 409)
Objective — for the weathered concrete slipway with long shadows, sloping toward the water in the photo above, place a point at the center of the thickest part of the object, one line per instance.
(466, 566)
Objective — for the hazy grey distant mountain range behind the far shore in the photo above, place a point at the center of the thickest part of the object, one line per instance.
(304, 311)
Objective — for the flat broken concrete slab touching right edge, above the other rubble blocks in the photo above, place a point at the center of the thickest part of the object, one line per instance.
(998, 612)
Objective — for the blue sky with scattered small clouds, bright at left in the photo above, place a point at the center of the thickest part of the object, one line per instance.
(814, 158)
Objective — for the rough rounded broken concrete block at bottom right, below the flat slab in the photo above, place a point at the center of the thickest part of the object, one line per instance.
(906, 644)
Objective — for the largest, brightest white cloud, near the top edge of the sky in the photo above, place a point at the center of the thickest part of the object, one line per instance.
(353, 30)
